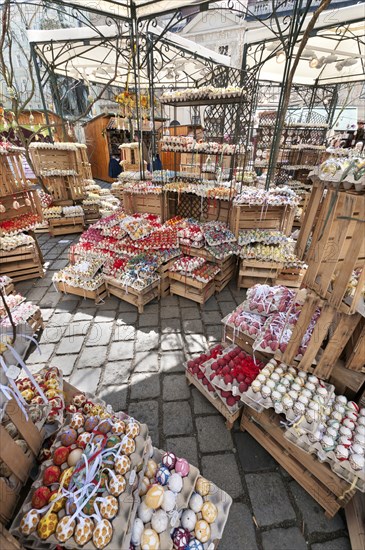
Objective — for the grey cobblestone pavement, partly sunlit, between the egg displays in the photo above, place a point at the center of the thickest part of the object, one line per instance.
(135, 362)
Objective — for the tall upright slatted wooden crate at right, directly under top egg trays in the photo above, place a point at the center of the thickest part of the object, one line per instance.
(337, 248)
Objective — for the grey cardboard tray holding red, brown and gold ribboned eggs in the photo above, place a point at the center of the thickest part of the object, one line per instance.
(121, 523)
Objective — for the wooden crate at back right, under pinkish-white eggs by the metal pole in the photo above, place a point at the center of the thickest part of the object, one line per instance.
(280, 218)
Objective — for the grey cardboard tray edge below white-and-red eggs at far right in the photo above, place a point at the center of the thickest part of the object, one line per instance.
(340, 468)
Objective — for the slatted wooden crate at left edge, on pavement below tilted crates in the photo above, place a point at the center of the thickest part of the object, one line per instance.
(22, 263)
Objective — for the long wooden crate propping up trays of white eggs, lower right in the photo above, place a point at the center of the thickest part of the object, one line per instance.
(330, 491)
